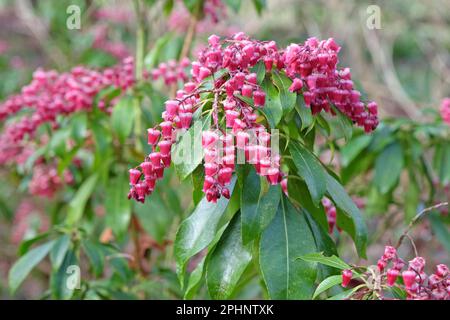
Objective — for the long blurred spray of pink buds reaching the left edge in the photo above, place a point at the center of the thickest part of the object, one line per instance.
(51, 94)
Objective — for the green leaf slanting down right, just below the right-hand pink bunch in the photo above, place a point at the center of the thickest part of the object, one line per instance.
(310, 169)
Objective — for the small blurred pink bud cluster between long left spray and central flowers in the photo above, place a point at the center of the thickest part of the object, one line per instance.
(171, 72)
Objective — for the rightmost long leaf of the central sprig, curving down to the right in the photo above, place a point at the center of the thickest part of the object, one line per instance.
(355, 226)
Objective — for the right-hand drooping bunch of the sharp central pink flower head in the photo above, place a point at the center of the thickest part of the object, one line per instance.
(313, 69)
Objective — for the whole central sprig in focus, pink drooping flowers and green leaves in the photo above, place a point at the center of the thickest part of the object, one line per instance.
(243, 128)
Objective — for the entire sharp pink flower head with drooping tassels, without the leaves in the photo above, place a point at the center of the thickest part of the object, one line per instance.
(238, 101)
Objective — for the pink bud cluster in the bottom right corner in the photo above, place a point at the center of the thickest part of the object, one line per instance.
(417, 284)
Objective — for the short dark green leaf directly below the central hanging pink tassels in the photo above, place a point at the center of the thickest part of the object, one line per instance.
(259, 204)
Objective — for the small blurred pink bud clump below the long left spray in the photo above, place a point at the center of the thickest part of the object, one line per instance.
(46, 181)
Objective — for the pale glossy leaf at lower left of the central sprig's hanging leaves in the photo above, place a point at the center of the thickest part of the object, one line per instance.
(198, 230)
